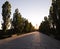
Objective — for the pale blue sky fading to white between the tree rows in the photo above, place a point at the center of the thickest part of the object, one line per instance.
(33, 10)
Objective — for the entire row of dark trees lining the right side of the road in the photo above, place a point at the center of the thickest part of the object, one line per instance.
(51, 24)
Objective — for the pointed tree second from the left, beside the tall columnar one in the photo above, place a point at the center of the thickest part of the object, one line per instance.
(17, 21)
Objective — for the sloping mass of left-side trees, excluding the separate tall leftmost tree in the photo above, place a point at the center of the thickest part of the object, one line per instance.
(21, 24)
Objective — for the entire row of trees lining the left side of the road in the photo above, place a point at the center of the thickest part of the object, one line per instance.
(18, 25)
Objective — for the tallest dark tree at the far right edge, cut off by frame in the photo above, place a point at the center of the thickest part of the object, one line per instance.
(55, 15)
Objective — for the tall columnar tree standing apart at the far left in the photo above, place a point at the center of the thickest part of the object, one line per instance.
(6, 12)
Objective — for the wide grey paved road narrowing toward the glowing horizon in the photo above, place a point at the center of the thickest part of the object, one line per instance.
(33, 40)
